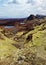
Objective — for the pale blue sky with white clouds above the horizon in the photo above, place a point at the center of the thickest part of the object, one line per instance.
(21, 8)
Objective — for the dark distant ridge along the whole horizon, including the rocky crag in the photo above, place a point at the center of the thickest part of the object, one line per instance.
(12, 22)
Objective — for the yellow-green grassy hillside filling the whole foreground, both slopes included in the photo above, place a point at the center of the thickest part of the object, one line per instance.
(24, 47)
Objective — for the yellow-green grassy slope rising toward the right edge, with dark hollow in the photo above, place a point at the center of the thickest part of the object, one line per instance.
(37, 44)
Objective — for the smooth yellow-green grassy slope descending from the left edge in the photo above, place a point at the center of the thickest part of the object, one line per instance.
(7, 50)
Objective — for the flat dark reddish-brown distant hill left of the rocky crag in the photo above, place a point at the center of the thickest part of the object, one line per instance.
(11, 22)
